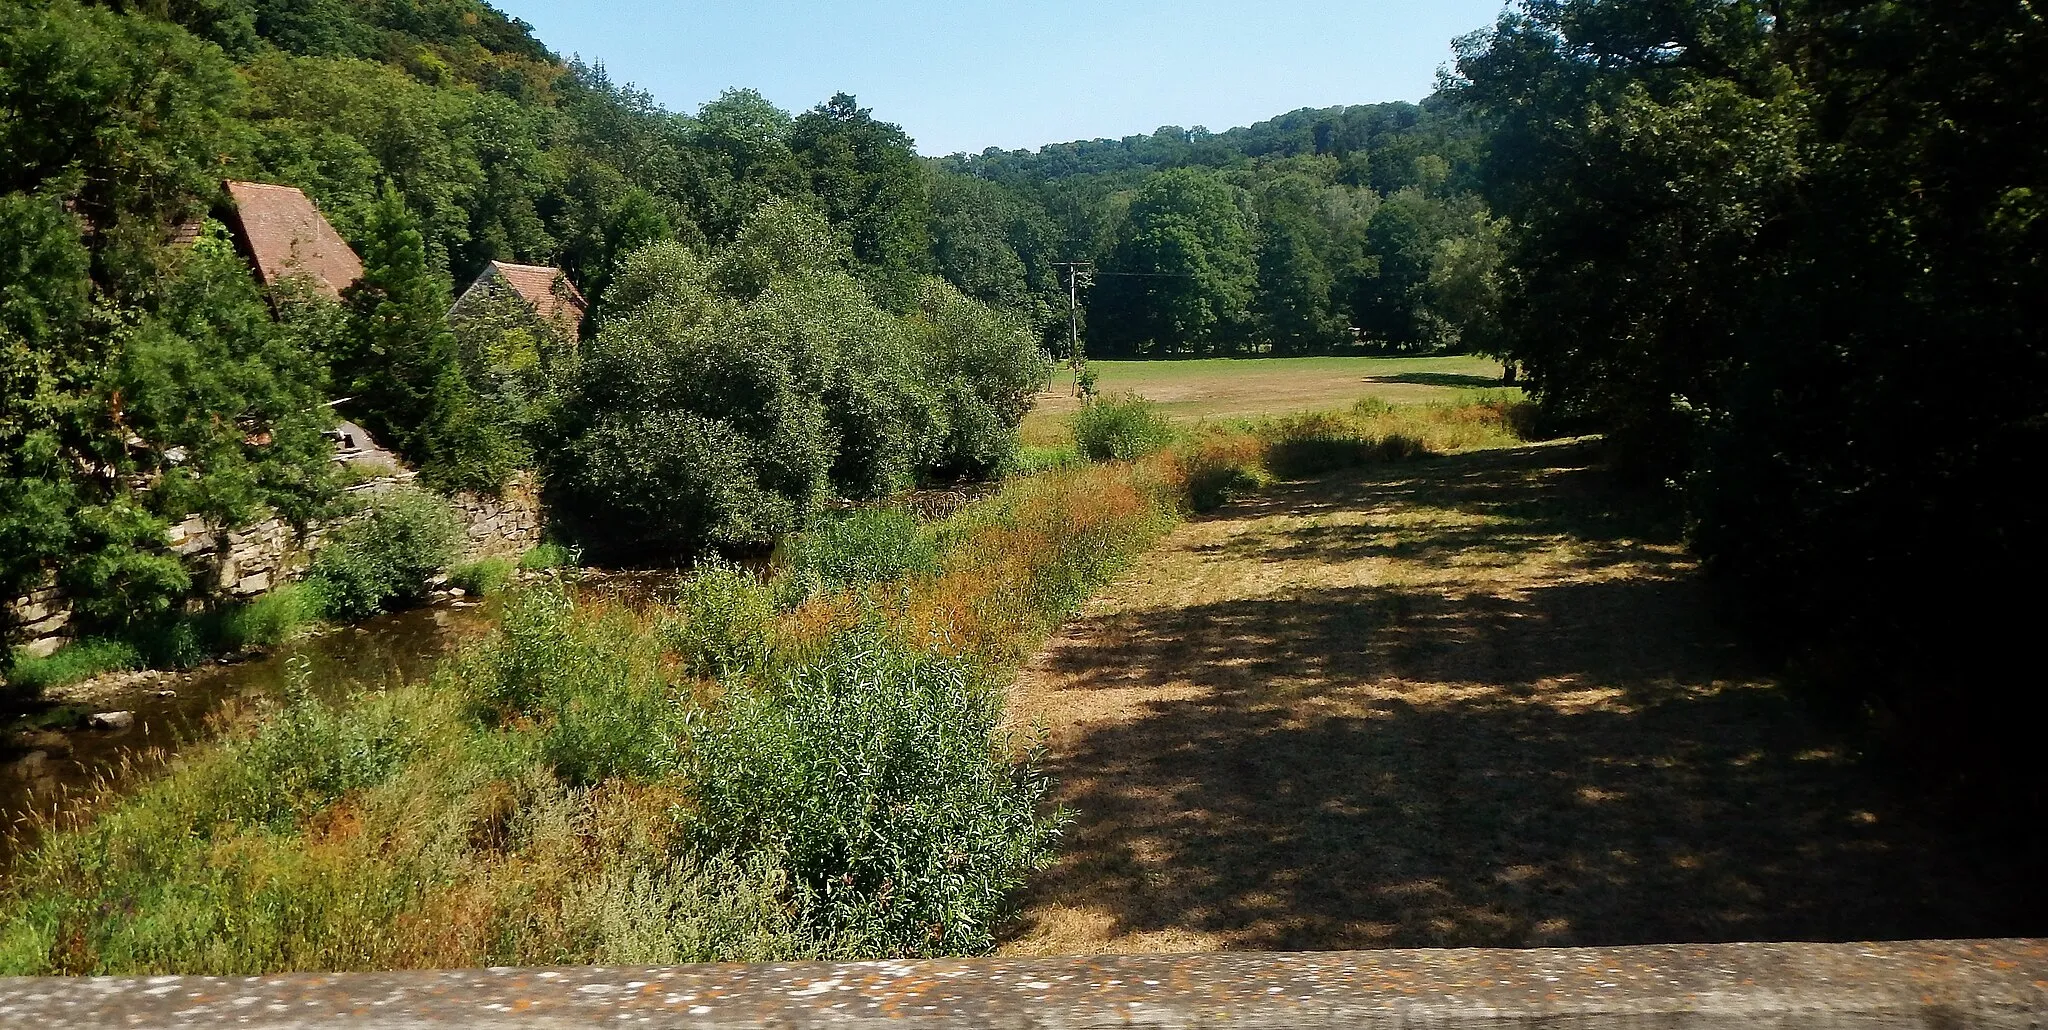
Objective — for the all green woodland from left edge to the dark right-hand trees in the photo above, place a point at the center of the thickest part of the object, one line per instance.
(902, 300)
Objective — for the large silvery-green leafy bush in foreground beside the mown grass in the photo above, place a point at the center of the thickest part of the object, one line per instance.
(880, 781)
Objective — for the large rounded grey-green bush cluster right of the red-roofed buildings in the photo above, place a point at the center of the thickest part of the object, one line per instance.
(730, 396)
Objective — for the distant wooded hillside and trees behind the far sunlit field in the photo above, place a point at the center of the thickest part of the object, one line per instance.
(1351, 228)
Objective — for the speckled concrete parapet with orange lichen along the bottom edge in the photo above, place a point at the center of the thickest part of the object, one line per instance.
(1725, 986)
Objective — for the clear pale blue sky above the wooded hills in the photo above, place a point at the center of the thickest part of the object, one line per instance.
(968, 75)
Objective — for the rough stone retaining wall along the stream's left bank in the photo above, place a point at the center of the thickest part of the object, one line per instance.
(247, 562)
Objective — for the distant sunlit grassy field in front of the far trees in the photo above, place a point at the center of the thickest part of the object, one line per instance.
(1246, 388)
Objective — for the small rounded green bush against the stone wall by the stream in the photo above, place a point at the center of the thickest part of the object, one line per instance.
(388, 556)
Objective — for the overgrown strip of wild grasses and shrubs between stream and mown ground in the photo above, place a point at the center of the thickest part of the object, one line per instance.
(812, 763)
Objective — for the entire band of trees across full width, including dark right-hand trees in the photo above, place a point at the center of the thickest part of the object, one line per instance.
(1785, 253)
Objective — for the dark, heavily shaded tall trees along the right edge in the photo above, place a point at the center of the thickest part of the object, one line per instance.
(1770, 249)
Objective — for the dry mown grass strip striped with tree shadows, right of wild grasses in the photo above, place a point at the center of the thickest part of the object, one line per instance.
(1457, 703)
